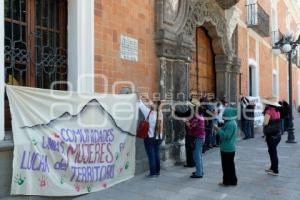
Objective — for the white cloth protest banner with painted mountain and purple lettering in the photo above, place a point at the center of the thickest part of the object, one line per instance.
(68, 144)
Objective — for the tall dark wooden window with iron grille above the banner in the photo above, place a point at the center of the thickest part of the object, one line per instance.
(35, 44)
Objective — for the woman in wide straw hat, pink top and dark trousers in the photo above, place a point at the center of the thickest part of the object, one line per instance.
(272, 132)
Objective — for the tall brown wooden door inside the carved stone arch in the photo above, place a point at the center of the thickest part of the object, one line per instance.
(202, 73)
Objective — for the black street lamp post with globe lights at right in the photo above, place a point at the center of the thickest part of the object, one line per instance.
(287, 45)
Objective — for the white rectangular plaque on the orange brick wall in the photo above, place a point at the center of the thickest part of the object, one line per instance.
(129, 48)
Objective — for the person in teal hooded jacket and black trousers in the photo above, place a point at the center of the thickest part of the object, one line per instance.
(228, 142)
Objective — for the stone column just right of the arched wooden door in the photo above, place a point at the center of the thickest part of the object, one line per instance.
(223, 65)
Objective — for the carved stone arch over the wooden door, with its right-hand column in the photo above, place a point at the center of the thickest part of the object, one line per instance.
(208, 14)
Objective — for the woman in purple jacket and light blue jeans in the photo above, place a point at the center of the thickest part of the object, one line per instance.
(196, 128)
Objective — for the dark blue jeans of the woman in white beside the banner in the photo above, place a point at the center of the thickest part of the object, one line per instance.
(152, 150)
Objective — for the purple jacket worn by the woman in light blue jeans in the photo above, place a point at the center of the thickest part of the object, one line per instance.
(197, 127)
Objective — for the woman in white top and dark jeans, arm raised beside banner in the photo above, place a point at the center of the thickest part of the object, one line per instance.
(152, 142)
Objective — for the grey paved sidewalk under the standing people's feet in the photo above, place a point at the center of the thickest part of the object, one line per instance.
(253, 184)
